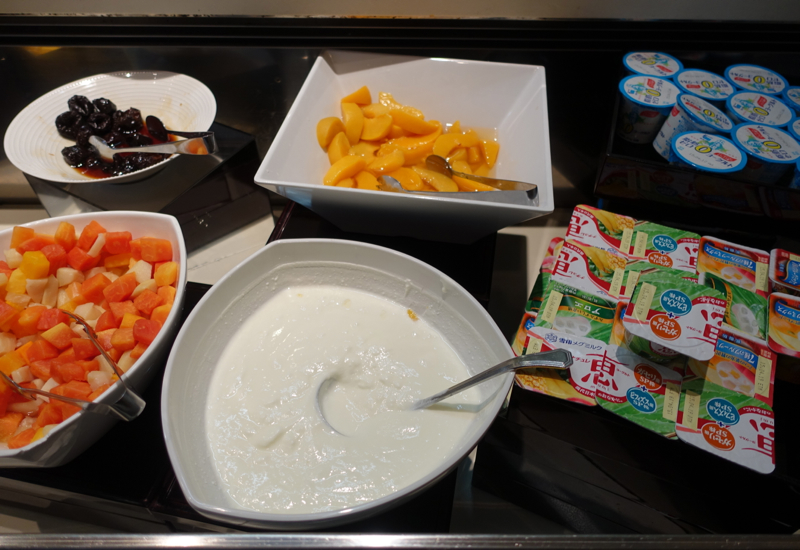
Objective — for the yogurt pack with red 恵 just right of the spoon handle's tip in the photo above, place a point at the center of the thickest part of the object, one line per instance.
(640, 391)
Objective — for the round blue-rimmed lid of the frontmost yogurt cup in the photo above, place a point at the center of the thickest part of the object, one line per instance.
(708, 152)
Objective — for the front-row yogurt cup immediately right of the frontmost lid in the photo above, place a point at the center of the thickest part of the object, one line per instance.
(770, 151)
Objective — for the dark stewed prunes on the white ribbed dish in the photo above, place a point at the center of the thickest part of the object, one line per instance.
(118, 128)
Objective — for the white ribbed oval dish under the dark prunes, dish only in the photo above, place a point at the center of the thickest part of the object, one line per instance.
(33, 144)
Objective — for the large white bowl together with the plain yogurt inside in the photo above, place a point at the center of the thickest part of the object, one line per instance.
(247, 442)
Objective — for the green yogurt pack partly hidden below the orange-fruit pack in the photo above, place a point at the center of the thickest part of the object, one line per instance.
(746, 311)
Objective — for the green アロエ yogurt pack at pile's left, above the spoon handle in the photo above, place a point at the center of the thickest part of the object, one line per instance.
(572, 311)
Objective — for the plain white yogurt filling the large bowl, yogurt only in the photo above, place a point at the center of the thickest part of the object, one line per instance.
(272, 450)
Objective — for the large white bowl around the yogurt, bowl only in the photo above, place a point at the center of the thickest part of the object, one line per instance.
(458, 317)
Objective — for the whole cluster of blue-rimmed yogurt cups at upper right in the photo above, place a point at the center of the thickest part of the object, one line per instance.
(745, 121)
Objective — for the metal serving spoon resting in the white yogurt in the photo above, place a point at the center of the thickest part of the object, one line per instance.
(555, 359)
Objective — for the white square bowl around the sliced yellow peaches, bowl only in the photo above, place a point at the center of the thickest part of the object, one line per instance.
(506, 97)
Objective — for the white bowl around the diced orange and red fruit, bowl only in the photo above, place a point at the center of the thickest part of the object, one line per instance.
(81, 430)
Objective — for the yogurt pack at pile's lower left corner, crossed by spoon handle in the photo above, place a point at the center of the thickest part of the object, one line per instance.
(576, 384)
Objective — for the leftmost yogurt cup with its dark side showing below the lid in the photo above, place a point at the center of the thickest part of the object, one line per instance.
(646, 102)
